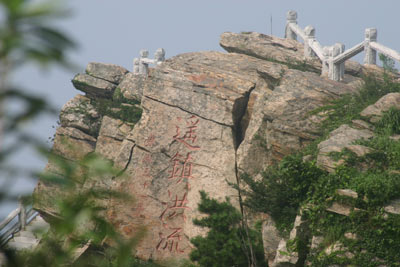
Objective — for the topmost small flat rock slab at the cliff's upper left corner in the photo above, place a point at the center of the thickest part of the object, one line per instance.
(109, 72)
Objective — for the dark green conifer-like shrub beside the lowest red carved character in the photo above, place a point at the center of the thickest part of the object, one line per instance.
(226, 243)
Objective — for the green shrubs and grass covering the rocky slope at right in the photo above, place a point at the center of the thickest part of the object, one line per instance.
(375, 177)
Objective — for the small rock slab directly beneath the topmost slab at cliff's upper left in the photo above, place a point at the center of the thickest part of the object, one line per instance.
(93, 87)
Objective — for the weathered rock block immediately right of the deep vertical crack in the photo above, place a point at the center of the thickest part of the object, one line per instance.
(281, 123)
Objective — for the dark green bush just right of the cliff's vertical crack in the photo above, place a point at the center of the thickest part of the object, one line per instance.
(282, 190)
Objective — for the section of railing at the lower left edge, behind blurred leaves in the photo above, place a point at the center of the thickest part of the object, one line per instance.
(8, 227)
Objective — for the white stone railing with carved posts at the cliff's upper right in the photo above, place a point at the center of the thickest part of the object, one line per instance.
(333, 57)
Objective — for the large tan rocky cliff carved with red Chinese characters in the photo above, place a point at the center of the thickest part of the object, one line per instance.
(196, 122)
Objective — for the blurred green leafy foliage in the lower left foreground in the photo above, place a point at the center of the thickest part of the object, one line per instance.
(81, 220)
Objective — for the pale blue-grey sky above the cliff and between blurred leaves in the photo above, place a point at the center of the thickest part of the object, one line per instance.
(114, 32)
